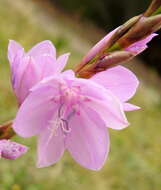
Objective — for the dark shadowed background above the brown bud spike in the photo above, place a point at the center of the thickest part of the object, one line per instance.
(107, 14)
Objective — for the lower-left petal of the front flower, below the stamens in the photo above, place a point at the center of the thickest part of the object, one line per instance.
(50, 147)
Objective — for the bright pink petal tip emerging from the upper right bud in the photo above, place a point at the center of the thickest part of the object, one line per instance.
(141, 45)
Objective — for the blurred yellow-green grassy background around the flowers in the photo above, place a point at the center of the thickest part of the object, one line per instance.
(134, 161)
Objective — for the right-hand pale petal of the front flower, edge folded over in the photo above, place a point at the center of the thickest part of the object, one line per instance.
(102, 101)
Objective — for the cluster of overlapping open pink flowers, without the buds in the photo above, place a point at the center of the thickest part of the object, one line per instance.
(65, 112)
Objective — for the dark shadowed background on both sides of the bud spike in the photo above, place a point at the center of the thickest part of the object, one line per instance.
(109, 14)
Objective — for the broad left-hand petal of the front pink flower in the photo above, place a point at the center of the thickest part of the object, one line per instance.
(35, 112)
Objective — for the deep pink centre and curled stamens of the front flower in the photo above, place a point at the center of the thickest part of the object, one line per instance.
(69, 99)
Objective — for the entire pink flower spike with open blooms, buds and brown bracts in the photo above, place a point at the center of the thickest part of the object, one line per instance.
(72, 110)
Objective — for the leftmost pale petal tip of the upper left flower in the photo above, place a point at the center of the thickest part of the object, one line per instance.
(14, 49)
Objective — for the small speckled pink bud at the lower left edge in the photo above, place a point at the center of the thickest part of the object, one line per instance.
(11, 150)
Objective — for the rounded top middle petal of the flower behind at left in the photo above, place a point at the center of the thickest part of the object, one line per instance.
(45, 47)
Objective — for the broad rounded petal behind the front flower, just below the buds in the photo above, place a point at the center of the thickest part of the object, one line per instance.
(119, 80)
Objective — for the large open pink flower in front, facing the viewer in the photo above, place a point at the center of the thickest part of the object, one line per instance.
(70, 113)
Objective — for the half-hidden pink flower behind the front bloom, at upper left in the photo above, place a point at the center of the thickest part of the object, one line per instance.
(29, 68)
